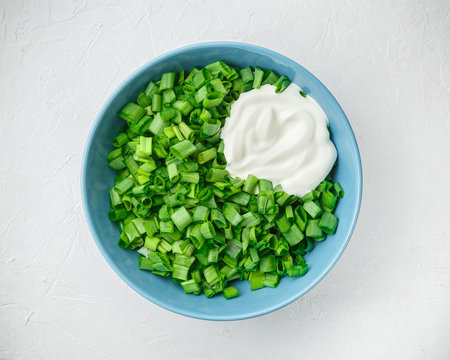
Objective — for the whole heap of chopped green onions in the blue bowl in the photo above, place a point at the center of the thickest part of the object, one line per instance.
(178, 206)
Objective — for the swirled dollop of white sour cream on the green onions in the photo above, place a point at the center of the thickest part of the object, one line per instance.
(282, 137)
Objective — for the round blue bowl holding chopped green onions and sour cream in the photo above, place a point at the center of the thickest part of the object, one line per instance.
(97, 178)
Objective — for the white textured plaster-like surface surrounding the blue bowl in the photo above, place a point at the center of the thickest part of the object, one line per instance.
(387, 63)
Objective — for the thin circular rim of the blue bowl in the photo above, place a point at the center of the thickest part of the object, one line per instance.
(129, 80)
